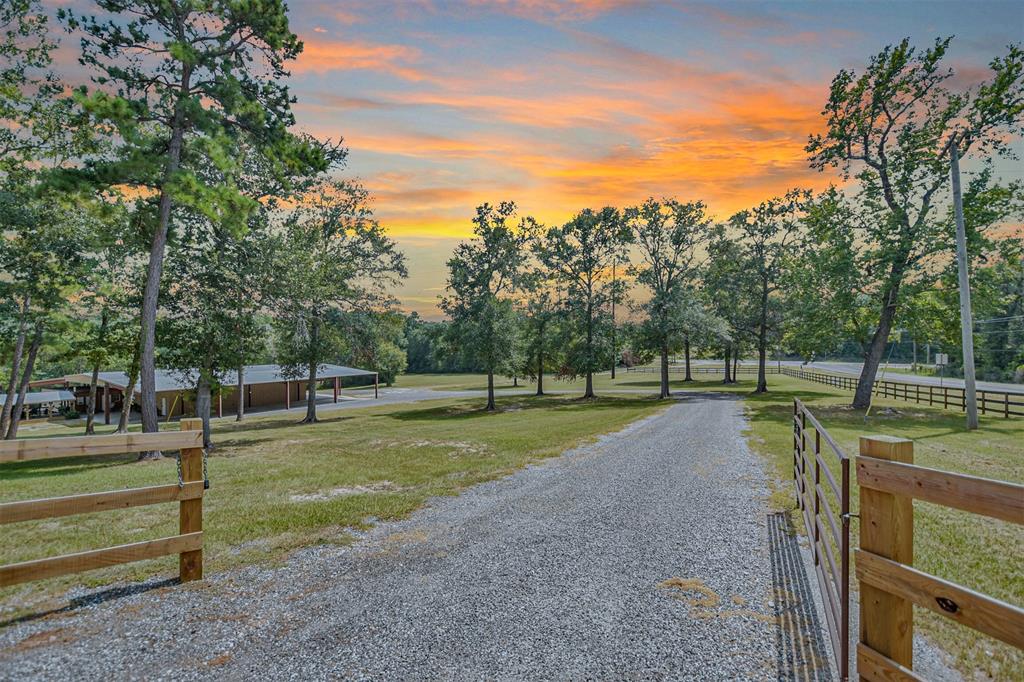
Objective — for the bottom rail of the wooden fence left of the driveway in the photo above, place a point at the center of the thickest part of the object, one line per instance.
(73, 564)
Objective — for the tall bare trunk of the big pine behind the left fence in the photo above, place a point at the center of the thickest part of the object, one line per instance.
(155, 270)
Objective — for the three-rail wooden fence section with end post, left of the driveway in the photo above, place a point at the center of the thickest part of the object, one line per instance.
(188, 492)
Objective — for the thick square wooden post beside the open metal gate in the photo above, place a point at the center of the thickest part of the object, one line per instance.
(887, 530)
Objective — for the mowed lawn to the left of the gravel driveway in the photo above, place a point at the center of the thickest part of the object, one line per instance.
(278, 486)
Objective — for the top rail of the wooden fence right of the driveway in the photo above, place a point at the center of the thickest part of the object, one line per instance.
(980, 496)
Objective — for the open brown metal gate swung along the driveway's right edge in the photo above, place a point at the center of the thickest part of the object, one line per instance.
(814, 501)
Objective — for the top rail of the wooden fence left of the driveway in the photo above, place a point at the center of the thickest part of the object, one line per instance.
(115, 444)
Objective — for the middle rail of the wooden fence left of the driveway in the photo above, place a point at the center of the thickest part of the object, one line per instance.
(15, 513)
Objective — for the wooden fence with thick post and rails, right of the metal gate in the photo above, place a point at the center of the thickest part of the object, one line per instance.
(890, 586)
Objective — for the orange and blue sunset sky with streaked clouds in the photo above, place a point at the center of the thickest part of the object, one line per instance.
(561, 106)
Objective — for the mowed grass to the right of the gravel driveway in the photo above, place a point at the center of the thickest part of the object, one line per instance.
(985, 555)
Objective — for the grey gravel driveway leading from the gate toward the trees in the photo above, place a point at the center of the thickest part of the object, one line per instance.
(649, 555)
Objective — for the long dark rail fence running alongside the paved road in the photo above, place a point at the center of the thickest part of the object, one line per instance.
(1000, 404)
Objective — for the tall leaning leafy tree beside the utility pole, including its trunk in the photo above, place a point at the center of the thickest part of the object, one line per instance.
(893, 126)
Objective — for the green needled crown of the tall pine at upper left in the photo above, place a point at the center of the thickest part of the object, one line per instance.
(206, 76)
